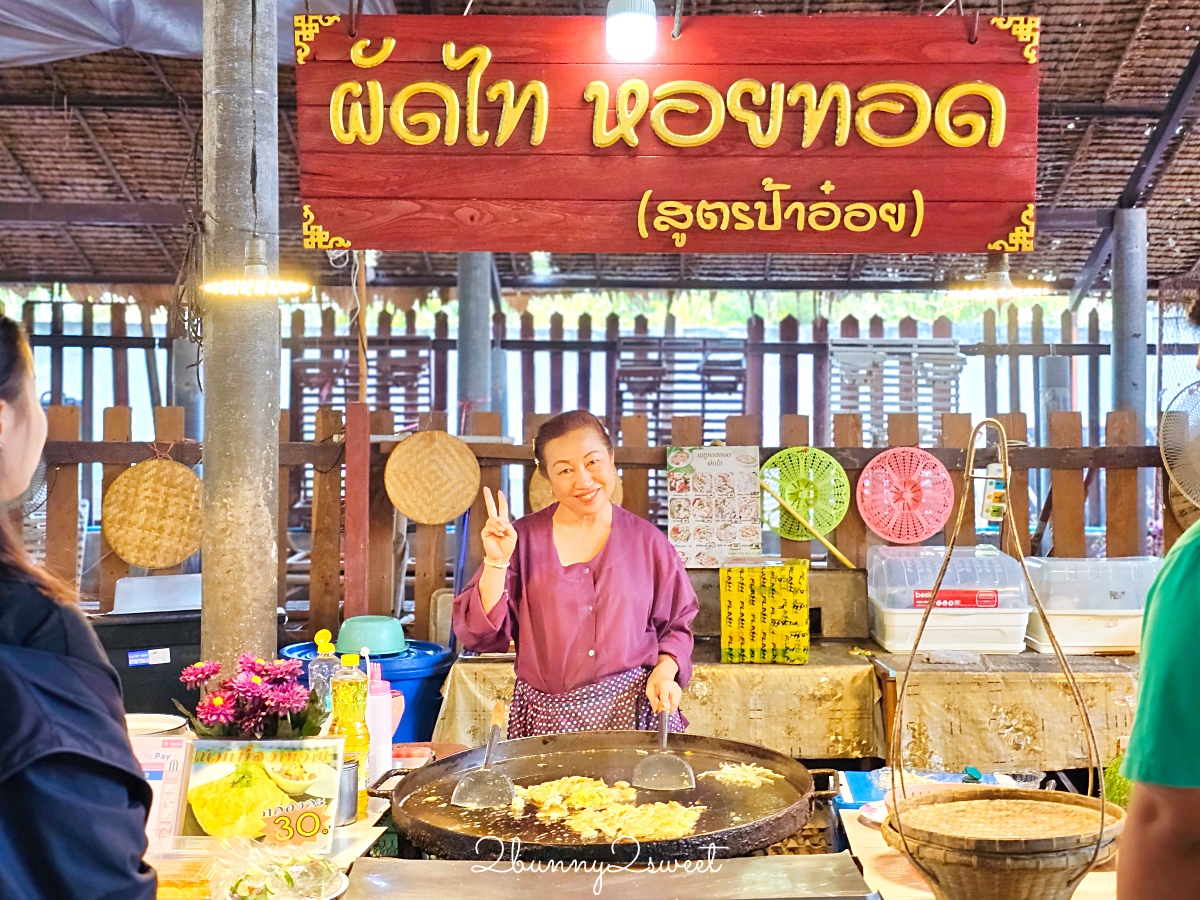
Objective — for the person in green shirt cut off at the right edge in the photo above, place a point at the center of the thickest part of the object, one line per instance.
(1160, 850)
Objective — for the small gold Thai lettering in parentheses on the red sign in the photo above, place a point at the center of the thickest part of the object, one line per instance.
(677, 218)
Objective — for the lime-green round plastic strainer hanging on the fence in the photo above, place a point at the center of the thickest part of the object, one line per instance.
(814, 484)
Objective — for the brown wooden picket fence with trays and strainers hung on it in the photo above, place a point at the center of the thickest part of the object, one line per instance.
(1066, 460)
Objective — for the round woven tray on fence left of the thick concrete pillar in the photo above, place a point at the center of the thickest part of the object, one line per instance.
(152, 514)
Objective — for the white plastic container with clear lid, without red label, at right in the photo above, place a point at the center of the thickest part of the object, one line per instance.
(1094, 605)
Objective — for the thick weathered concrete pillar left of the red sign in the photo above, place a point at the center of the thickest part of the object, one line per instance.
(242, 338)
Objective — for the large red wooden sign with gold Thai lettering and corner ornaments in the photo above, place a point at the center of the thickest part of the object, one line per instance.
(767, 134)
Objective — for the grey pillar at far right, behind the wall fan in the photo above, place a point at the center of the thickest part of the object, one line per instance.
(1130, 331)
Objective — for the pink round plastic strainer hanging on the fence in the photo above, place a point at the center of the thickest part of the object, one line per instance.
(905, 495)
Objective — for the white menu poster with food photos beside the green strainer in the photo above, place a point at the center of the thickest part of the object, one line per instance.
(713, 503)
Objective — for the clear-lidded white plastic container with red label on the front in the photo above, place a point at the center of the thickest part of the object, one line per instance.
(983, 604)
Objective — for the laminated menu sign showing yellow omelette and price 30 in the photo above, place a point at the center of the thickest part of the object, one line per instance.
(279, 791)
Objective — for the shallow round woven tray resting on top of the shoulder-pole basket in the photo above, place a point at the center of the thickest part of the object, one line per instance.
(1007, 820)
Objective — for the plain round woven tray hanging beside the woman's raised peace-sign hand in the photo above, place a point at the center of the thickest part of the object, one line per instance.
(433, 477)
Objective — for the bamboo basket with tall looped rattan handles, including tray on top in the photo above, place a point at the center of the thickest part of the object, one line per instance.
(1007, 843)
